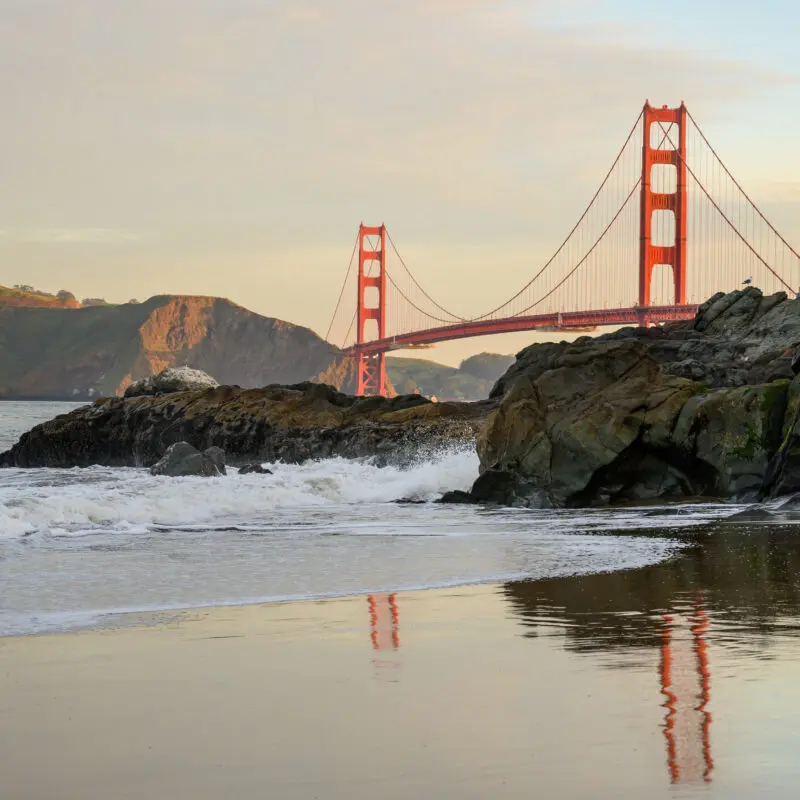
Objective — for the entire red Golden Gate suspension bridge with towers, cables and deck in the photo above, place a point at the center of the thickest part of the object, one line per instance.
(668, 227)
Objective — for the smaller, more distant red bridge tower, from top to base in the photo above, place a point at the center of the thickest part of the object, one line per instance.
(371, 364)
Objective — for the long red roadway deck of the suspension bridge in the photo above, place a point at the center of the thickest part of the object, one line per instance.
(635, 315)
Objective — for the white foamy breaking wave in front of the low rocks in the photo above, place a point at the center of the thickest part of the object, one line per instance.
(75, 502)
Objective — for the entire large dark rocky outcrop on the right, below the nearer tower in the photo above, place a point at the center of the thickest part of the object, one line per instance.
(704, 408)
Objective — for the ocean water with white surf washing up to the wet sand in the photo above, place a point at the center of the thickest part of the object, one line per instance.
(80, 547)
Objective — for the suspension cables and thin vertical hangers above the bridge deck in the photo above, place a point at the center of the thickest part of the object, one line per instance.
(596, 266)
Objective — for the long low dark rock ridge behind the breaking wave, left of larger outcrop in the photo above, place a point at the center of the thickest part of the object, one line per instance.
(276, 423)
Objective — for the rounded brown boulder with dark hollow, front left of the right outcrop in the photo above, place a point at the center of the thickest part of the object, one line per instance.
(591, 428)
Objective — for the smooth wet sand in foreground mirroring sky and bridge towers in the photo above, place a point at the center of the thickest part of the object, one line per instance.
(672, 681)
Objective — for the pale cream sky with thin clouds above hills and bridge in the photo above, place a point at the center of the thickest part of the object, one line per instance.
(231, 147)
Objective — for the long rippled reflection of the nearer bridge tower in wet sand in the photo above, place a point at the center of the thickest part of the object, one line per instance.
(686, 685)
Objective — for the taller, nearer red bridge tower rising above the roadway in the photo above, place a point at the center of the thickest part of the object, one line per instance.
(673, 255)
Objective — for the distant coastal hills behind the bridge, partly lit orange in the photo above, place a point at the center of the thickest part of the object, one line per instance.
(52, 347)
